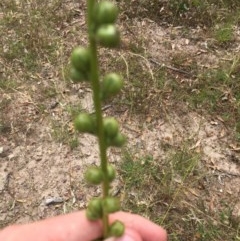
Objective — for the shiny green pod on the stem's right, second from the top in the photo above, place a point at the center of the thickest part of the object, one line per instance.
(108, 36)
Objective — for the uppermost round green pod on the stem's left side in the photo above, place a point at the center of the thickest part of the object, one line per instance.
(80, 59)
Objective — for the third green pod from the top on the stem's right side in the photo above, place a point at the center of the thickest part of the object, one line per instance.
(111, 85)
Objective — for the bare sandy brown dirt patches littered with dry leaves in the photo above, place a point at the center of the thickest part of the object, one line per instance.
(42, 177)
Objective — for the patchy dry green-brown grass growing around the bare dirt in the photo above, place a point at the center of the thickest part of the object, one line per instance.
(37, 38)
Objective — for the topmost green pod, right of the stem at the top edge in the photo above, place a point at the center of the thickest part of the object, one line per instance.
(106, 12)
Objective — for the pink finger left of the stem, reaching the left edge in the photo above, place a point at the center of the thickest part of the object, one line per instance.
(70, 227)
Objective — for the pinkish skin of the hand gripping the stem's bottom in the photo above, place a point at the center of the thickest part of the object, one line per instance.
(75, 227)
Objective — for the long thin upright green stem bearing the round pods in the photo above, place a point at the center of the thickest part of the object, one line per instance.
(98, 107)
